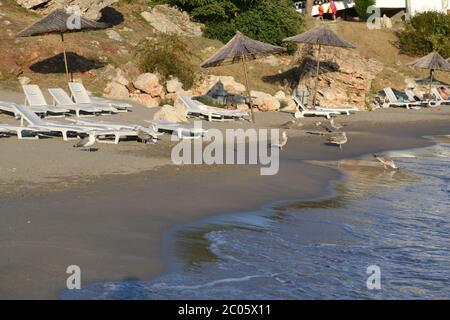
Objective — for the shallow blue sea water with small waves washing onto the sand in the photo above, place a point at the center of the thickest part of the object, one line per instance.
(398, 221)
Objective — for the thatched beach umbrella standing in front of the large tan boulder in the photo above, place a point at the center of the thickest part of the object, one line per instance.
(320, 36)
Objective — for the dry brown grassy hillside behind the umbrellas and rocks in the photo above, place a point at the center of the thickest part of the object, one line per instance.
(95, 51)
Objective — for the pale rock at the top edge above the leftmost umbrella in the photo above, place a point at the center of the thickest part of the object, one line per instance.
(89, 8)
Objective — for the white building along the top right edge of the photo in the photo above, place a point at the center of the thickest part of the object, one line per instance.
(413, 6)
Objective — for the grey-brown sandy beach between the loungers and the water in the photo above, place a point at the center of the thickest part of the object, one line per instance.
(107, 211)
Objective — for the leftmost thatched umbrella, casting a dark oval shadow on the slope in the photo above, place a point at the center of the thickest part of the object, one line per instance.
(60, 21)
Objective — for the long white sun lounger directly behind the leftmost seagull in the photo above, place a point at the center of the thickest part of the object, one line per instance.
(38, 124)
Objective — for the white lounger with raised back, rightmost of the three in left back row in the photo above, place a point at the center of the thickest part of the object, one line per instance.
(80, 95)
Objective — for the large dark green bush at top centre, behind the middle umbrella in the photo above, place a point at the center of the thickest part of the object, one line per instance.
(265, 20)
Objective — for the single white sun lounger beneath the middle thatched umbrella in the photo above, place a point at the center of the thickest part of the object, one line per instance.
(198, 109)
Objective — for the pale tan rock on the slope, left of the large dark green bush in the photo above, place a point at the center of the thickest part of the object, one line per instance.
(167, 19)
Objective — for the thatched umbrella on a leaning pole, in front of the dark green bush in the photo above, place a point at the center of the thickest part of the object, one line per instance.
(241, 49)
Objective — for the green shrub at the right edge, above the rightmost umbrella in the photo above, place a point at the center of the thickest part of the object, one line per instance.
(426, 32)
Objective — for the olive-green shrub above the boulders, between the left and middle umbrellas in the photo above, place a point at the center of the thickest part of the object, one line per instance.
(168, 56)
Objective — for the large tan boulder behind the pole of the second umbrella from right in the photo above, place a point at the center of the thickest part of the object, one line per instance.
(345, 78)
